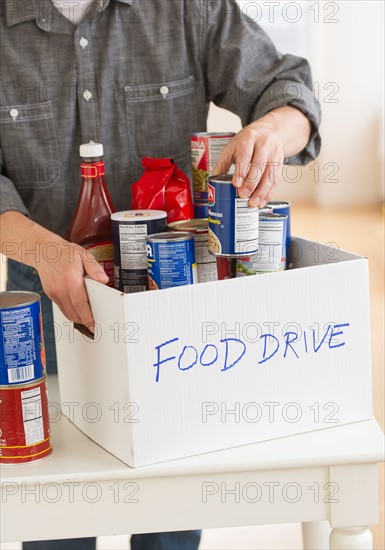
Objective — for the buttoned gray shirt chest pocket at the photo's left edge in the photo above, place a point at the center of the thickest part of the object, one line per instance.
(29, 145)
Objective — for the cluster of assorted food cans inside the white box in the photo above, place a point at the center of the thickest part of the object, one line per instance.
(227, 239)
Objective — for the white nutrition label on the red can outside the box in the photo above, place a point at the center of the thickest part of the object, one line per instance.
(32, 416)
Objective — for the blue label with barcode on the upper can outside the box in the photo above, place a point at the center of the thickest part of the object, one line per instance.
(19, 344)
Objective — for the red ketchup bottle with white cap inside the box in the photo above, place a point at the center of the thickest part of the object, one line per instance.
(91, 225)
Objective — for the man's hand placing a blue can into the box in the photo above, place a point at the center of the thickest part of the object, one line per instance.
(258, 152)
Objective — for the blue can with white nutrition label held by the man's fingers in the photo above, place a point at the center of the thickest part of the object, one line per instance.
(233, 224)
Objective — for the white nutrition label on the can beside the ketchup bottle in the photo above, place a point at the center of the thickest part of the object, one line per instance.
(133, 246)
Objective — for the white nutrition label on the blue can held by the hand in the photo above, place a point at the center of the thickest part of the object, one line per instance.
(246, 227)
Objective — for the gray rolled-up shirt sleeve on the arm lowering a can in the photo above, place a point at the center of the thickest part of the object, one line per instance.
(248, 76)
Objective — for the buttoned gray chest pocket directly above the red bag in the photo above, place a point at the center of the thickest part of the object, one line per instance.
(159, 118)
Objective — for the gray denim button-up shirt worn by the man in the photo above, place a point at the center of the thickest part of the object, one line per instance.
(136, 76)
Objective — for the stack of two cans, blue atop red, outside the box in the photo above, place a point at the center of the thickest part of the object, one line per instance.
(25, 430)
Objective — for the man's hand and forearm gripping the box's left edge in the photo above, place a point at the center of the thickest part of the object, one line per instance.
(61, 265)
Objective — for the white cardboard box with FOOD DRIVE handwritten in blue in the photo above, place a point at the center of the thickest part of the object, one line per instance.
(188, 370)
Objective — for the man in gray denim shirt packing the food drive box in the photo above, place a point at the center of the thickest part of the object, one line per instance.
(137, 77)
